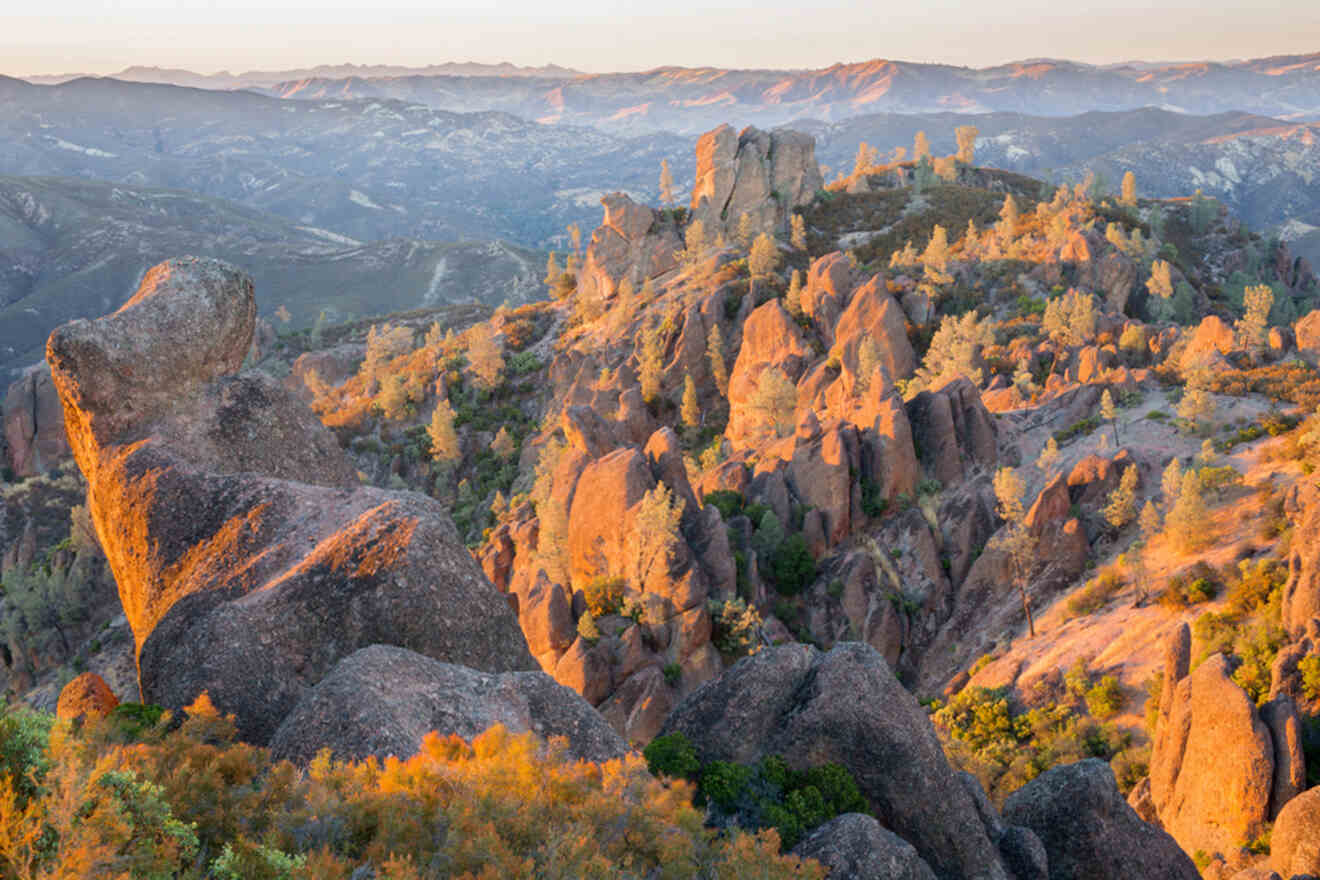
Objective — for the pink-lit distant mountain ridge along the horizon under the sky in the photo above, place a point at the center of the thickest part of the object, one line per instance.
(695, 100)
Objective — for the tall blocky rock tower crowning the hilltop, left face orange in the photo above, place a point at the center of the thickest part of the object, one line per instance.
(762, 175)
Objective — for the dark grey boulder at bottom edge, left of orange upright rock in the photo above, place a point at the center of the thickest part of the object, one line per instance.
(1090, 832)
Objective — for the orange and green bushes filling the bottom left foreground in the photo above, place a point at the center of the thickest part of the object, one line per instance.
(192, 804)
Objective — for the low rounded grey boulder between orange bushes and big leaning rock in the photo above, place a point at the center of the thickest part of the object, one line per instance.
(383, 701)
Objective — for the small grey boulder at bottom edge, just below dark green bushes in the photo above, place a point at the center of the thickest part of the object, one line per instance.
(856, 848)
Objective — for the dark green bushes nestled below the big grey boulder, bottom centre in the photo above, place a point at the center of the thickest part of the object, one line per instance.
(768, 795)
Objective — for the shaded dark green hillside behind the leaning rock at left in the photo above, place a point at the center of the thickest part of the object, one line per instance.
(71, 249)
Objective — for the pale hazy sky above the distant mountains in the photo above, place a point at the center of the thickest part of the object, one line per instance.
(104, 36)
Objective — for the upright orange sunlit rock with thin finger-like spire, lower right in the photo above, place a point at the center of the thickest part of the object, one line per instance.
(1219, 772)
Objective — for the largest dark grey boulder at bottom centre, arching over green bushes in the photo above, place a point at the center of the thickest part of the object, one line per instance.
(845, 707)
